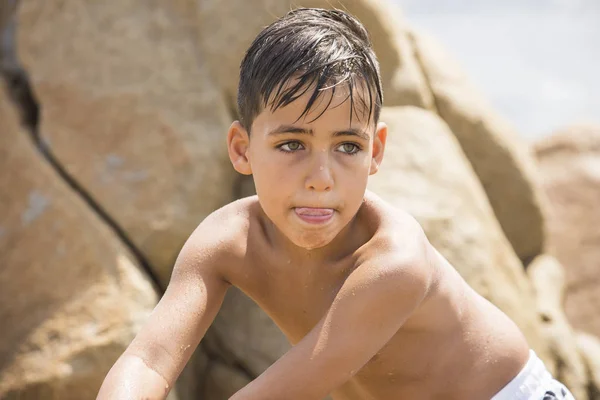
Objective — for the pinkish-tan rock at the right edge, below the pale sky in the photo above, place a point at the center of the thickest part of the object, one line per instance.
(569, 162)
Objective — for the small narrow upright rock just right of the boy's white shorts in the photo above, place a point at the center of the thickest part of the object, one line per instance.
(547, 276)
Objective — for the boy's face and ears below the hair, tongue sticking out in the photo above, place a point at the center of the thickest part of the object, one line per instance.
(310, 176)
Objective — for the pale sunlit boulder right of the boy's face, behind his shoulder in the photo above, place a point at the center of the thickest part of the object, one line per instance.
(426, 173)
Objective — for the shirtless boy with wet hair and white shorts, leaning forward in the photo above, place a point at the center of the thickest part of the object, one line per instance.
(372, 309)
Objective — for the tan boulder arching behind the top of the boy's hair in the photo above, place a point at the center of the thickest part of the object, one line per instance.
(226, 43)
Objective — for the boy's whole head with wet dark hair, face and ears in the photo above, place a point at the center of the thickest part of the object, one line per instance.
(309, 101)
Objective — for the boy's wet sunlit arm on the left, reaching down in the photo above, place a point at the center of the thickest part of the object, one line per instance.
(151, 364)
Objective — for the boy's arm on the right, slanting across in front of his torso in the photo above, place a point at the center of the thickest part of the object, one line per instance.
(368, 310)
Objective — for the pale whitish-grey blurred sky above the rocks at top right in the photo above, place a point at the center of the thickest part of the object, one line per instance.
(537, 61)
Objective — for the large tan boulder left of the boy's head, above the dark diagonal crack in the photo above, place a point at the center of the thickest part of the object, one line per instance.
(131, 114)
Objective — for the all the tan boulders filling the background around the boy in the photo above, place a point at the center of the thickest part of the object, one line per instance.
(112, 149)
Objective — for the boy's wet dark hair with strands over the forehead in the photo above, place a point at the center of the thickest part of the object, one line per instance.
(309, 48)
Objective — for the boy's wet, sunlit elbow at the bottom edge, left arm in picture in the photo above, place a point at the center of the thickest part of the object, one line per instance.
(132, 378)
